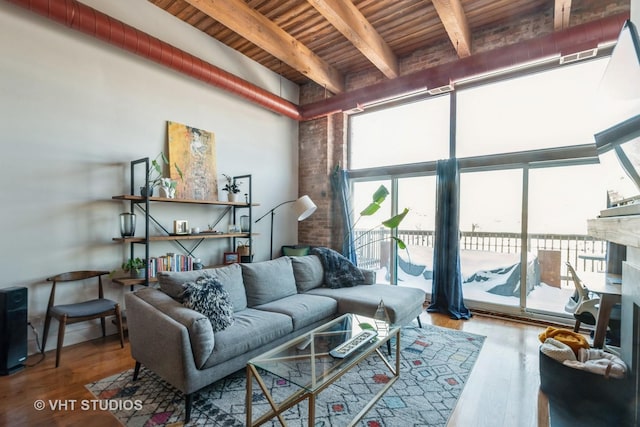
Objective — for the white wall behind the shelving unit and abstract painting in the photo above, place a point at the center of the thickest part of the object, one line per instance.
(74, 111)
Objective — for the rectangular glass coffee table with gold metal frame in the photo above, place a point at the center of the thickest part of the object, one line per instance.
(306, 362)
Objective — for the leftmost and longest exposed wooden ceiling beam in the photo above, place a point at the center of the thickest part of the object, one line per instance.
(255, 27)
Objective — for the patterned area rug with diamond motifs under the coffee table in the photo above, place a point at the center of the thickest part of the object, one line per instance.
(435, 364)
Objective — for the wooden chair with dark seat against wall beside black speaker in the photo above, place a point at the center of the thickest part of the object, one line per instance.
(80, 311)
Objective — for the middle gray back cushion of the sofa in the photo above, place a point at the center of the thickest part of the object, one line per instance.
(268, 281)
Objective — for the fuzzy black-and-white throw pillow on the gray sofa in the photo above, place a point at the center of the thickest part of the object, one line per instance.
(207, 296)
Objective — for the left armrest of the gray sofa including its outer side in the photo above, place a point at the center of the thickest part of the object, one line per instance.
(153, 311)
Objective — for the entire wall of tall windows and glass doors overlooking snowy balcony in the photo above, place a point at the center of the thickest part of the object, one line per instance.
(523, 143)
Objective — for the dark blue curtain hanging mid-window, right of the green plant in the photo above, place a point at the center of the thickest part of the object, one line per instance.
(447, 278)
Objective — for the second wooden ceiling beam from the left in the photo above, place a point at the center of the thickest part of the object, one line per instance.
(354, 26)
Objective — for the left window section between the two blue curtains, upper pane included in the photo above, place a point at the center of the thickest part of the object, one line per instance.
(419, 135)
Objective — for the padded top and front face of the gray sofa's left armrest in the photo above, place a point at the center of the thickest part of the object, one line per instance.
(198, 325)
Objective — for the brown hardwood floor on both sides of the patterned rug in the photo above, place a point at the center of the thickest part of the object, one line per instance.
(501, 391)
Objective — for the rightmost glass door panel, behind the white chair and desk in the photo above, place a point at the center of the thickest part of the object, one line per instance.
(561, 199)
